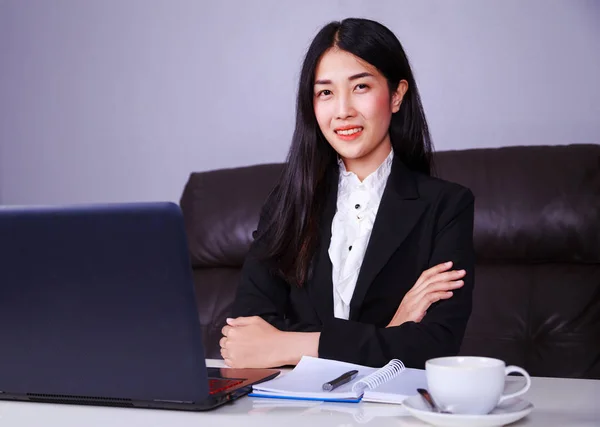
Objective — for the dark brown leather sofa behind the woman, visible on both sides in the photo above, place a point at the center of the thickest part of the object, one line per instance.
(537, 238)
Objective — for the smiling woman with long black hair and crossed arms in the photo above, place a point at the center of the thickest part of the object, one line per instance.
(360, 255)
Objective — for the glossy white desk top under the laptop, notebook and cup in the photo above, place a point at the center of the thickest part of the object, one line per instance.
(558, 402)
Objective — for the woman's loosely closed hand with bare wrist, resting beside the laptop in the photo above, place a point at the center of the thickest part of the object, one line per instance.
(251, 342)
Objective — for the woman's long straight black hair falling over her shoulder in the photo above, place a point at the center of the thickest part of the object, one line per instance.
(296, 203)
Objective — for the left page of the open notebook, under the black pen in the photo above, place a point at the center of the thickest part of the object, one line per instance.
(307, 378)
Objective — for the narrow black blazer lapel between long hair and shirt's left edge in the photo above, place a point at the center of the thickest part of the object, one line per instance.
(320, 287)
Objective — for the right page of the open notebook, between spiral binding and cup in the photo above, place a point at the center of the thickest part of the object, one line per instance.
(399, 388)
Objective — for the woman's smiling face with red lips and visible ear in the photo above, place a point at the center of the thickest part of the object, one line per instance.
(354, 108)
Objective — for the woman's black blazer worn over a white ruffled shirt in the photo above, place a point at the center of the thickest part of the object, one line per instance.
(422, 221)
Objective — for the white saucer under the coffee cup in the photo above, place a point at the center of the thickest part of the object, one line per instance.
(505, 413)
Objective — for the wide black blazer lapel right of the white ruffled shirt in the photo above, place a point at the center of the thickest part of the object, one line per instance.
(399, 210)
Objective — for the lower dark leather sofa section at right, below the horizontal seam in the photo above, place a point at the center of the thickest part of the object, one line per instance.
(543, 317)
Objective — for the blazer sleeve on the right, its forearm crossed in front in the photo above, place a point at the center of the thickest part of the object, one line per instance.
(441, 331)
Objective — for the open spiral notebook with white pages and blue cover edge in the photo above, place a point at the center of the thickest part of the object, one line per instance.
(391, 383)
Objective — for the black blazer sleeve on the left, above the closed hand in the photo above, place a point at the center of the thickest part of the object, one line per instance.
(261, 292)
